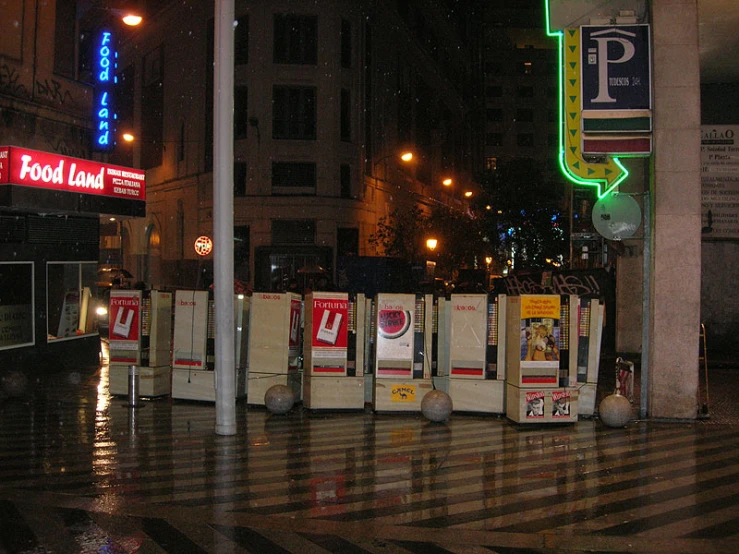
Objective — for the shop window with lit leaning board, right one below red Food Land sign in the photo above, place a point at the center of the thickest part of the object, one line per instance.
(70, 299)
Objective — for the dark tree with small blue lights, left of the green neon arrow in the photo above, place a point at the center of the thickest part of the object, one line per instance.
(526, 222)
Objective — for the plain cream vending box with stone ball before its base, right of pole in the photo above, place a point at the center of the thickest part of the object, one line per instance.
(275, 336)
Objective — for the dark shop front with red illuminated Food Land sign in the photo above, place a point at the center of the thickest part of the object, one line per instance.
(49, 245)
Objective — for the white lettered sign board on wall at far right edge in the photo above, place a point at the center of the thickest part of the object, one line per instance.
(720, 182)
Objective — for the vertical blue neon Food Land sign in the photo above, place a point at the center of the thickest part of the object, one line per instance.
(104, 115)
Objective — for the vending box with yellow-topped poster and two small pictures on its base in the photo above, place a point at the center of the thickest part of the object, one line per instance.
(541, 355)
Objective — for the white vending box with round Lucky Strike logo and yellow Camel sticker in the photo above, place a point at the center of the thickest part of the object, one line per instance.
(403, 351)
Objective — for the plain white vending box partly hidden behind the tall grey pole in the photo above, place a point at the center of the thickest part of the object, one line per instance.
(193, 362)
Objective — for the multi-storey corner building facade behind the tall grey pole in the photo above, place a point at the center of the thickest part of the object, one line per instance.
(326, 97)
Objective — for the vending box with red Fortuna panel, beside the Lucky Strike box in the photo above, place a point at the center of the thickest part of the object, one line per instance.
(331, 377)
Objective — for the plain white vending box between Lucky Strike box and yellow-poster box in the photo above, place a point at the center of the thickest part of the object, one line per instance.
(476, 353)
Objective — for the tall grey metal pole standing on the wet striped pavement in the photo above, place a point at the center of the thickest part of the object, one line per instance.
(225, 361)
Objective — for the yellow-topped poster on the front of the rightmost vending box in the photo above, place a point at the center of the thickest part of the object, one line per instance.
(540, 331)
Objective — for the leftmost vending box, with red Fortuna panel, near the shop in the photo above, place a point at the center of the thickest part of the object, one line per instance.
(140, 334)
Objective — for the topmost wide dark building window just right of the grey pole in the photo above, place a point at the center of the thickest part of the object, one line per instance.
(295, 39)
